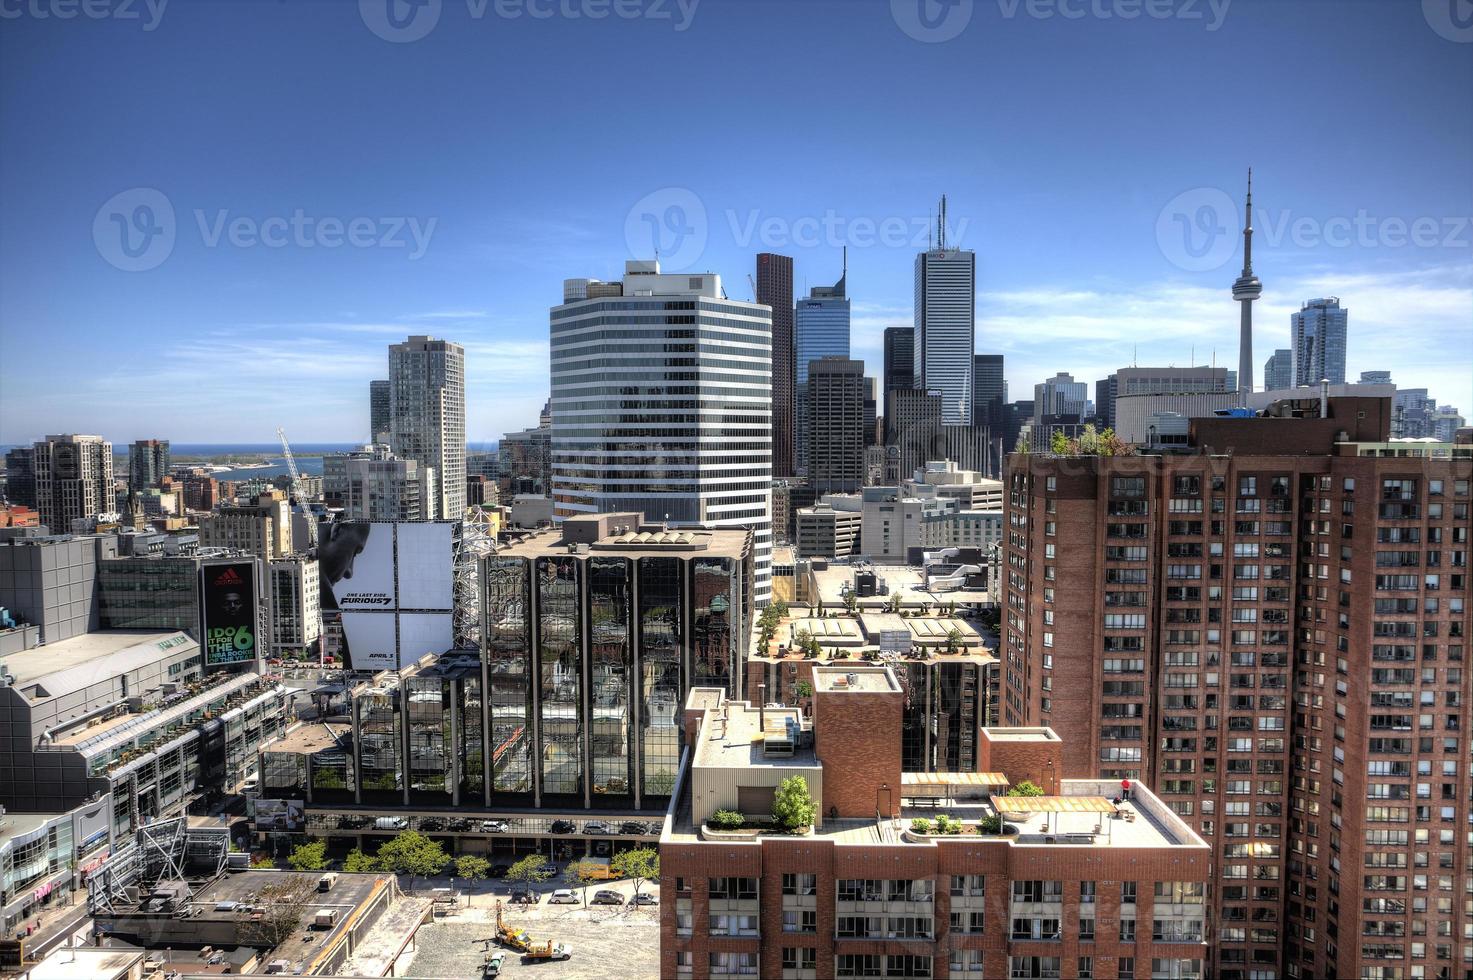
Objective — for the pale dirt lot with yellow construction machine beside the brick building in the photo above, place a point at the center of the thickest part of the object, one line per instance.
(606, 942)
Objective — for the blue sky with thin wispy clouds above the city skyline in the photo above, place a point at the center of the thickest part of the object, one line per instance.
(334, 191)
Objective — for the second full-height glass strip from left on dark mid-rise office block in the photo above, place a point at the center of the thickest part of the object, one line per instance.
(560, 676)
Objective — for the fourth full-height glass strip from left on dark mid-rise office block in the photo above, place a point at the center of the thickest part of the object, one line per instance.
(661, 689)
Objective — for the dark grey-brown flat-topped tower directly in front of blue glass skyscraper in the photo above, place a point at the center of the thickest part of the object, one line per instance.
(836, 393)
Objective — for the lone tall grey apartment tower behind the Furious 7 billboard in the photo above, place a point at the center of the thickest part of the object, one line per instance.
(428, 415)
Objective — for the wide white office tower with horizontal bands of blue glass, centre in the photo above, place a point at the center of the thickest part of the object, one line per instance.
(686, 440)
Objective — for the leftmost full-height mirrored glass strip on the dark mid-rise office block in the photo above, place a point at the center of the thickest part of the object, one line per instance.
(507, 643)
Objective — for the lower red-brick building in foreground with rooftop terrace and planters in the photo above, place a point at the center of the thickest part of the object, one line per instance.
(1086, 886)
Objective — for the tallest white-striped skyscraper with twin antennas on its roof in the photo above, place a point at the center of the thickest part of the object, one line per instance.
(945, 325)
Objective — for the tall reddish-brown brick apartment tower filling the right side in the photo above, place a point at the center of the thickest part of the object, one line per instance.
(1272, 629)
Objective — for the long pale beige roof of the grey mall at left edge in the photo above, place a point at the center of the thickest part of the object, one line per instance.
(70, 665)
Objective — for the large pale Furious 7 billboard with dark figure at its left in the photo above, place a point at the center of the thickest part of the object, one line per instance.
(394, 589)
